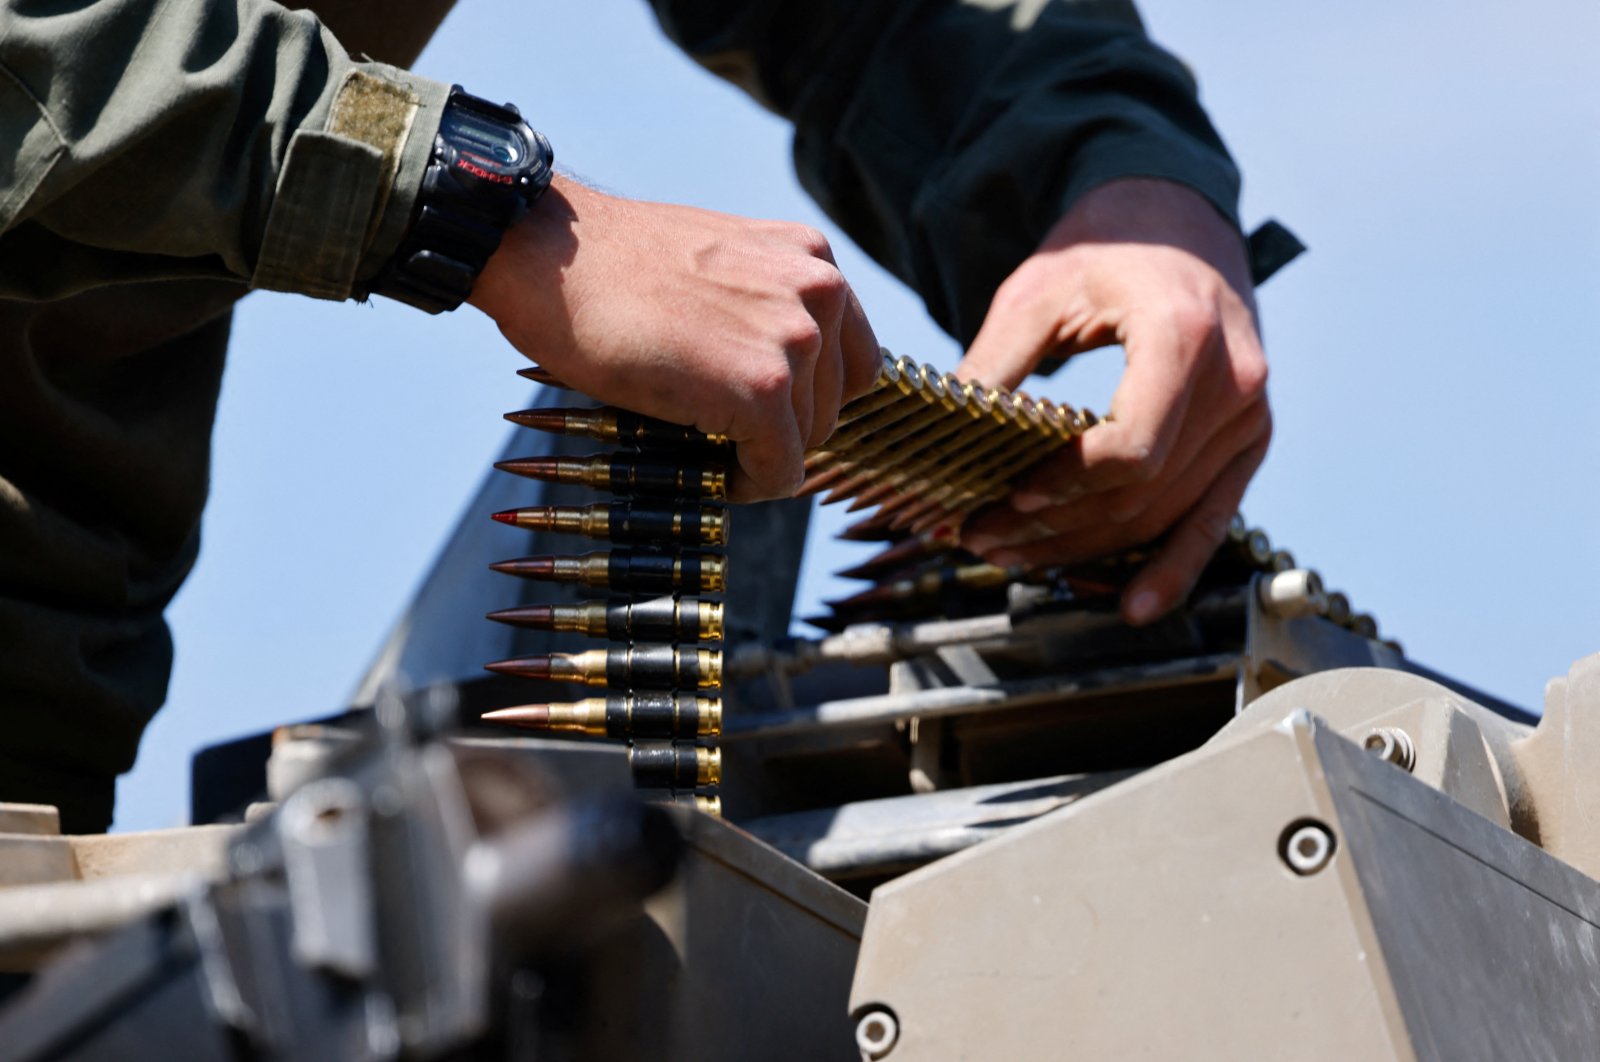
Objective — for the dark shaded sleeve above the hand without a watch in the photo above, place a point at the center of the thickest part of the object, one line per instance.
(948, 137)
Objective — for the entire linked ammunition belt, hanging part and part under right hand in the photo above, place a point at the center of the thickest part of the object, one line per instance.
(921, 447)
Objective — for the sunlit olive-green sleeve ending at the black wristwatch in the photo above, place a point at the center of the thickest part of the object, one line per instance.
(199, 140)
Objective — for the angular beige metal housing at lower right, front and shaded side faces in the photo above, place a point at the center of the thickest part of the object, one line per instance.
(1164, 919)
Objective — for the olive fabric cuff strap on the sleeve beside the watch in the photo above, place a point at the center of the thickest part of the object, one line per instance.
(321, 217)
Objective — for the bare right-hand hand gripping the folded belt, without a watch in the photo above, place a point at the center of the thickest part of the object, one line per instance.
(1153, 266)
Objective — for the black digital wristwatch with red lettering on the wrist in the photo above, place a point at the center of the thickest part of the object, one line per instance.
(489, 167)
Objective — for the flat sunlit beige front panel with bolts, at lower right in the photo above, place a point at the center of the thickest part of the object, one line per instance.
(1156, 919)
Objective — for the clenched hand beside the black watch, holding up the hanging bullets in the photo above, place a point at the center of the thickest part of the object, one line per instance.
(730, 325)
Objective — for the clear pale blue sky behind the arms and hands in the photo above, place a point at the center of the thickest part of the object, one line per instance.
(1436, 356)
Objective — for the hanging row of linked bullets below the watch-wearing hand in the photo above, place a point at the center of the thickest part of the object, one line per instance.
(670, 532)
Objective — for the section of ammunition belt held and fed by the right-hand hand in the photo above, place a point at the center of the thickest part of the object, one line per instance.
(926, 450)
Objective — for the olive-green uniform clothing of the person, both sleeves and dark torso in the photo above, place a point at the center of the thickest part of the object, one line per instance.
(159, 159)
